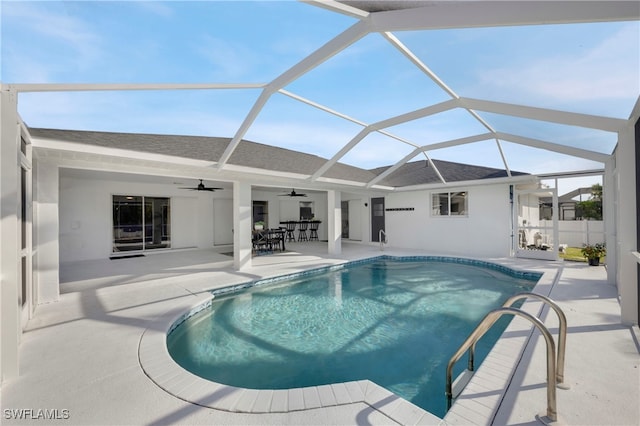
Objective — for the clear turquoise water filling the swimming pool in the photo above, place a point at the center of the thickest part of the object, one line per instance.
(394, 322)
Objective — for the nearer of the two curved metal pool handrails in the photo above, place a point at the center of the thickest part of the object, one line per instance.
(484, 326)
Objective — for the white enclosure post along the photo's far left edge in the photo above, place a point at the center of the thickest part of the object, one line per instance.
(10, 325)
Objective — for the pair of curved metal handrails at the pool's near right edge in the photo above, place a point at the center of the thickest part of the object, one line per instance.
(555, 368)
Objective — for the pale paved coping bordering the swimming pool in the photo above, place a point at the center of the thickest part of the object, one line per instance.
(159, 366)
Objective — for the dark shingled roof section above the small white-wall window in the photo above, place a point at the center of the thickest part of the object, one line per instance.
(420, 172)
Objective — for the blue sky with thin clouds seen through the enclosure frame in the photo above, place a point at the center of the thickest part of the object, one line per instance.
(586, 68)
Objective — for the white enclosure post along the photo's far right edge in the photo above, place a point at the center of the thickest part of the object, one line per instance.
(626, 226)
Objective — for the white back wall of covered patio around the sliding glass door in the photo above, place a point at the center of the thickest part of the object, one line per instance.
(85, 209)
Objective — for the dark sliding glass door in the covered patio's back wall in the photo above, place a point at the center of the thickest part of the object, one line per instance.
(140, 223)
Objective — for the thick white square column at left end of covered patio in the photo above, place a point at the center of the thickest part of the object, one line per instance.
(47, 231)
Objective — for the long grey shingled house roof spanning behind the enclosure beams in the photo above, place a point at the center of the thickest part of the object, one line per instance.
(266, 157)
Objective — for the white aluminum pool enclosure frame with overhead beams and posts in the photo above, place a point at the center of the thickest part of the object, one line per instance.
(619, 165)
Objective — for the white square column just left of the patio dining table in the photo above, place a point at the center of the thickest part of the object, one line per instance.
(241, 225)
